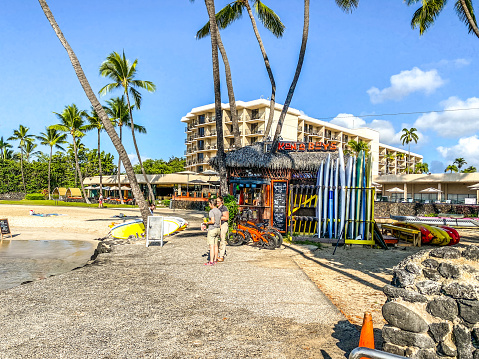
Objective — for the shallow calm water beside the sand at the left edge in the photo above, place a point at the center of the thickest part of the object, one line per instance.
(22, 261)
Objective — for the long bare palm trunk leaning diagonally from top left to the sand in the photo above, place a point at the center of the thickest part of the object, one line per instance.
(101, 113)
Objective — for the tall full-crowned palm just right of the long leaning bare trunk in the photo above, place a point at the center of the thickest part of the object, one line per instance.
(119, 69)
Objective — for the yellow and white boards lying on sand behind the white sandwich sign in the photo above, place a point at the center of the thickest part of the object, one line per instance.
(136, 228)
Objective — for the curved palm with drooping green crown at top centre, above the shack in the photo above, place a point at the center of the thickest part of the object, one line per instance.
(268, 18)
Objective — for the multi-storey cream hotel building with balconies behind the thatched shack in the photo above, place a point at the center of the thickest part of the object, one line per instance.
(200, 129)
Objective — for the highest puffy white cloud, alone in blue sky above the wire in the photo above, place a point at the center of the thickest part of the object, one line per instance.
(405, 83)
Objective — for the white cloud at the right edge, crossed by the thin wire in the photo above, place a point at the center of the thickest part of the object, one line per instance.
(454, 121)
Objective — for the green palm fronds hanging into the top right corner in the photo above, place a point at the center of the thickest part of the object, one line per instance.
(425, 16)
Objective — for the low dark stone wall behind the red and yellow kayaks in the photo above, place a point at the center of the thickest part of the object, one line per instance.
(385, 209)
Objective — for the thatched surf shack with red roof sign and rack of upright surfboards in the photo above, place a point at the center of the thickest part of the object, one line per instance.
(303, 189)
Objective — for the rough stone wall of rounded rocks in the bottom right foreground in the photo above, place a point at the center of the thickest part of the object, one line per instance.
(433, 305)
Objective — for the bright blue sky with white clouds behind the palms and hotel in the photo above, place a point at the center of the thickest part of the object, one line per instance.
(366, 63)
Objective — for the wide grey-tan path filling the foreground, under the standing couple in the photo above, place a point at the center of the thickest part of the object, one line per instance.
(139, 302)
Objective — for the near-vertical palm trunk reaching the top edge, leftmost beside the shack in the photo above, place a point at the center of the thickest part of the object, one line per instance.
(210, 7)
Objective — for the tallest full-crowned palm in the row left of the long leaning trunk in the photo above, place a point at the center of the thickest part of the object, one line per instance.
(72, 121)
